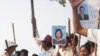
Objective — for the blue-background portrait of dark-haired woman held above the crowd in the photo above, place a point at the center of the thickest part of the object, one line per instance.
(58, 35)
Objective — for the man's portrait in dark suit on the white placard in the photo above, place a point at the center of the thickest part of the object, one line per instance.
(83, 12)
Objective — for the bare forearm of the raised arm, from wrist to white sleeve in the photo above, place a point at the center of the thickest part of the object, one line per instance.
(77, 26)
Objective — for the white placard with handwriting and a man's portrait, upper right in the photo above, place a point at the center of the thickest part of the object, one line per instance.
(88, 15)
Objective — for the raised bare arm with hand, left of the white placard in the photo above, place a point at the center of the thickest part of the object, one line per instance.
(77, 26)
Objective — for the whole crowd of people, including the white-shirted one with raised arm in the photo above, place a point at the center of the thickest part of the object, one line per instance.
(71, 48)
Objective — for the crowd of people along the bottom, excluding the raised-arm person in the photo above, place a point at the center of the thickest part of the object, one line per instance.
(47, 49)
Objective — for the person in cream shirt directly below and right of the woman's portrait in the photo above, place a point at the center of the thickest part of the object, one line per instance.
(65, 50)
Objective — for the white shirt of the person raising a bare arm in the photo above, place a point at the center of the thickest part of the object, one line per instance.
(94, 35)
